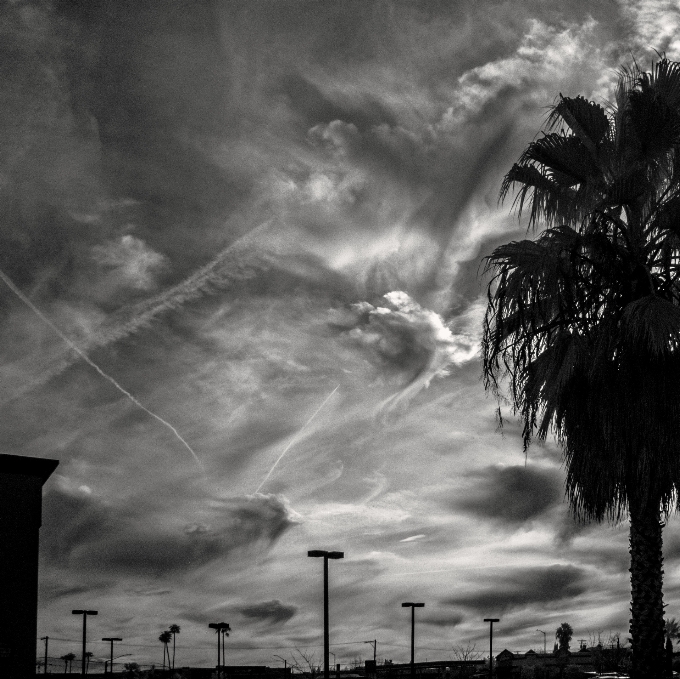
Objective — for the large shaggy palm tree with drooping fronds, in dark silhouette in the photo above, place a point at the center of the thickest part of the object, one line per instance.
(584, 321)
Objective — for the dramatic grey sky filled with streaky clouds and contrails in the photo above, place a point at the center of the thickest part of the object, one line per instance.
(241, 301)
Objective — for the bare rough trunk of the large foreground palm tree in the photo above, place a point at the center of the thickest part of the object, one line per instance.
(646, 569)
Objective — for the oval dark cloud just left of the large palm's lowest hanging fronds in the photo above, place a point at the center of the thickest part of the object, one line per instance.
(511, 495)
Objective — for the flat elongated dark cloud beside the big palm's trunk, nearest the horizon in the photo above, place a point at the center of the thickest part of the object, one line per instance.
(517, 588)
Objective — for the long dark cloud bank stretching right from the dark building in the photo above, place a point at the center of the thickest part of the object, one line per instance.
(83, 533)
